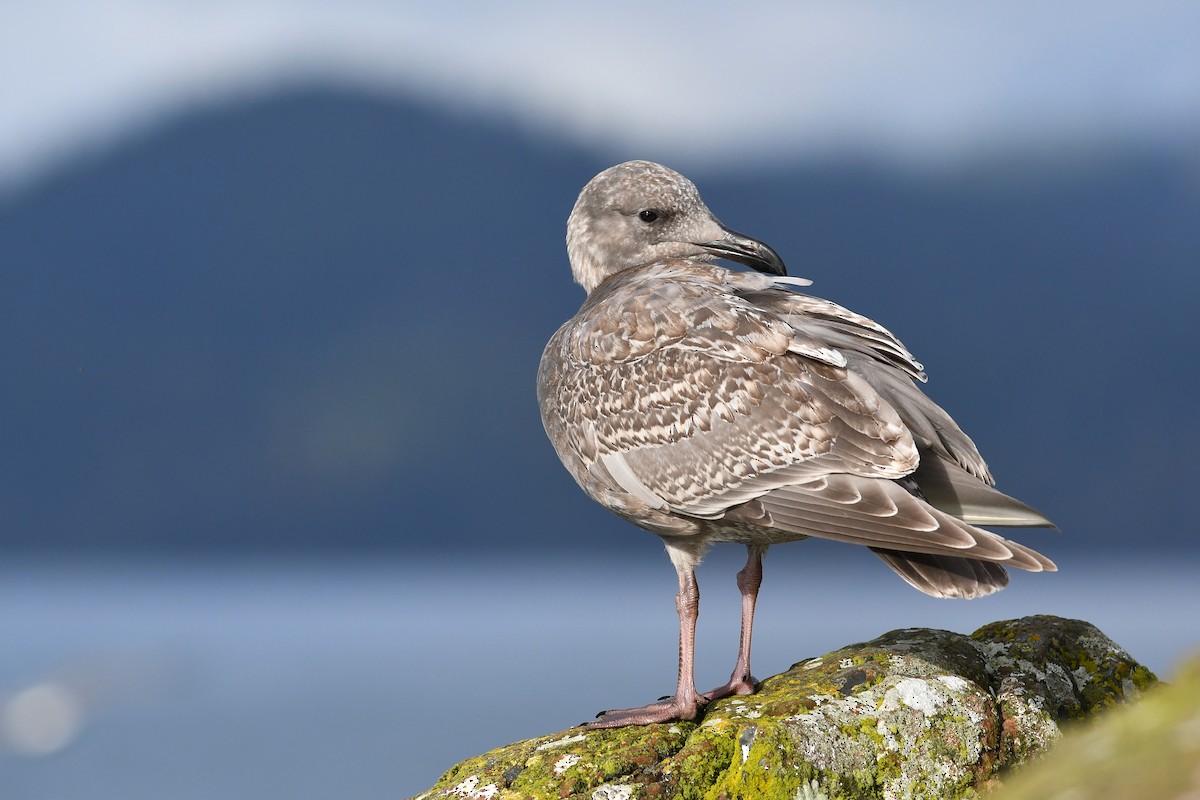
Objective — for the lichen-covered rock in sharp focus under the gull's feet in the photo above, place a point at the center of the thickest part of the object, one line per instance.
(914, 714)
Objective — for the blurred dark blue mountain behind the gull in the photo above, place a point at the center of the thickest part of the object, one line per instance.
(313, 321)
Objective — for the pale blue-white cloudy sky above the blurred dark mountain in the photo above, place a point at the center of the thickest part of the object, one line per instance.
(916, 82)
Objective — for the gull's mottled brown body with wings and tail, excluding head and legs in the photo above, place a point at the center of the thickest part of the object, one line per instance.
(699, 400)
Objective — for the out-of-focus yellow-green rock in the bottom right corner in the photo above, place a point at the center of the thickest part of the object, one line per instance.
(1149, 751)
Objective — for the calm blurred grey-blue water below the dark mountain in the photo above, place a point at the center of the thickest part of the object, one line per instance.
(149, 679)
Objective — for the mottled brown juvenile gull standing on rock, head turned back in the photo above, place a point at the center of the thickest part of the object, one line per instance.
(707, 405)
